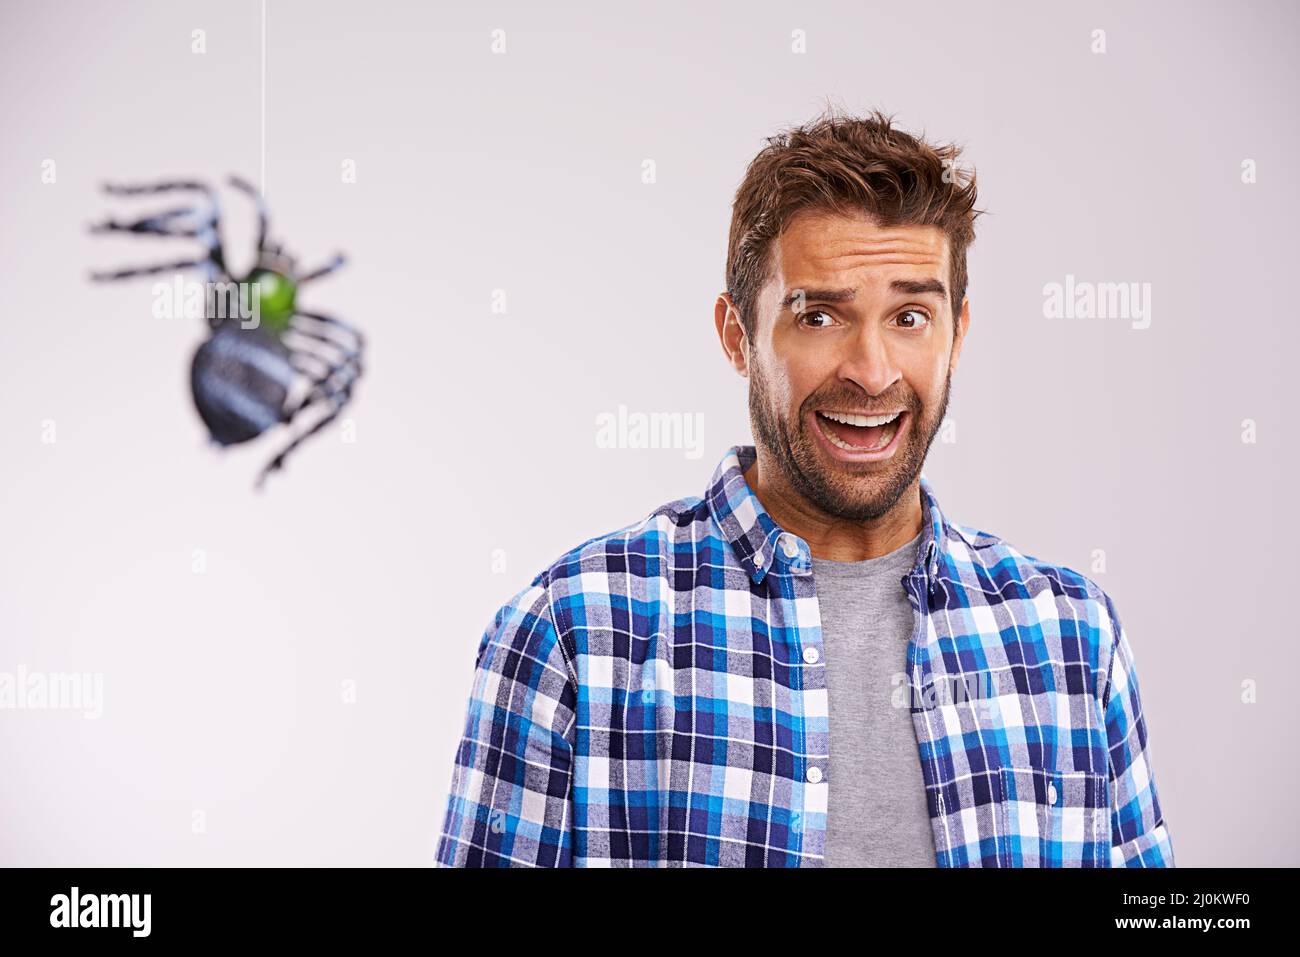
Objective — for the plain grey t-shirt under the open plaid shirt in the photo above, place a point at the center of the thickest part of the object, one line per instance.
(877, 813)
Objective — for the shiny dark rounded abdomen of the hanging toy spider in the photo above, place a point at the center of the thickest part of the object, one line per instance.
(241, 379)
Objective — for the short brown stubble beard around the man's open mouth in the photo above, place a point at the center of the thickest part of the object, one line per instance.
(843, 496)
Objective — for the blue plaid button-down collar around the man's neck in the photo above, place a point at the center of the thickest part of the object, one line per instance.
(759, 542)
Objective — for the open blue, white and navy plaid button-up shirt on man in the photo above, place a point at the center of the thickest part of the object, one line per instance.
(657, 698)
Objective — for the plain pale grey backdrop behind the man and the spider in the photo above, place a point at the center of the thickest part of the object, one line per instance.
(372, 562)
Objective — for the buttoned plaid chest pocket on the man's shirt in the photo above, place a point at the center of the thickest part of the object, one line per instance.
(1055, 819)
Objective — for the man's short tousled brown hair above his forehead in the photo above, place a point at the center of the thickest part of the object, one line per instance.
(846, 164)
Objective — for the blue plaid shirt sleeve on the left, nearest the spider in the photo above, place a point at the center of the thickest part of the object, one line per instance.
(510, 804)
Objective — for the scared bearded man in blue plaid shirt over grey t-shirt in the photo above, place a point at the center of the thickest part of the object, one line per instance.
(811, 665)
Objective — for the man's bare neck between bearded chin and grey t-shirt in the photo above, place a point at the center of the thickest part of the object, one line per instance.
(834, 539)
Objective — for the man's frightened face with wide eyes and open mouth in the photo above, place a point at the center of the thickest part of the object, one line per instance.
(855, 319)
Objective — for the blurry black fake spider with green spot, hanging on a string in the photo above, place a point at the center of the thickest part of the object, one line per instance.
(248, 378)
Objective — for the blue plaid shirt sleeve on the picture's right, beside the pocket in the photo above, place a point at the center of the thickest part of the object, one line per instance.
(1139, 834)
